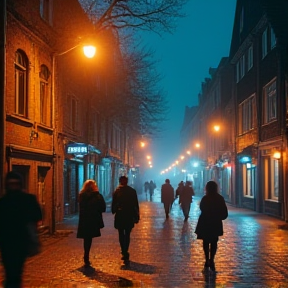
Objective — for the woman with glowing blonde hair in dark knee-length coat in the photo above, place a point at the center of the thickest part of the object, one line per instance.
(91, 207)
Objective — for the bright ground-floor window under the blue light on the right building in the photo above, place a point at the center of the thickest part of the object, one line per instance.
(249, 179)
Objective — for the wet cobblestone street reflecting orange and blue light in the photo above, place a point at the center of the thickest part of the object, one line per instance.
(165, 253)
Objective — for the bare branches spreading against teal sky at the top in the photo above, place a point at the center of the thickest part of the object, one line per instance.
(154, 15)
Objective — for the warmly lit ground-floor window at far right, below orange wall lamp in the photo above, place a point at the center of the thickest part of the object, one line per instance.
(271, 178)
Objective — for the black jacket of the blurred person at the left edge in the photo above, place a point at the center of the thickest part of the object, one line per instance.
(17, 209)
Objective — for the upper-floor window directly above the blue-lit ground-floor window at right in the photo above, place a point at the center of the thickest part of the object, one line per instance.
(247, 115)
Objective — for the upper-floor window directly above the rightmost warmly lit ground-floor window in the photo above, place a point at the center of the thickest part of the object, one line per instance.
(270, 102)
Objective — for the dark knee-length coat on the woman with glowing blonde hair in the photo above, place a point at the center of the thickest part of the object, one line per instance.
(91, 207)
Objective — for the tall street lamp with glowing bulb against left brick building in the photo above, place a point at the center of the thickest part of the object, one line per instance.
(89, 51)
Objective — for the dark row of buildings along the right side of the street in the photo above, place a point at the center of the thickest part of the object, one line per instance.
(252, 108)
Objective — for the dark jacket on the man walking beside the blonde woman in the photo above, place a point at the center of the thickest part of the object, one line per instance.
(125, 206)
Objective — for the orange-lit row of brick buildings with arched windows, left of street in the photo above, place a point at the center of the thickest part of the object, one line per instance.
(58, 124)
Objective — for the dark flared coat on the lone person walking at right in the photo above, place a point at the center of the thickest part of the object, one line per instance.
(213, 211)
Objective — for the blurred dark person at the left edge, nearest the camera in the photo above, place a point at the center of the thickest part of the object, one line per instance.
(18, 209)
